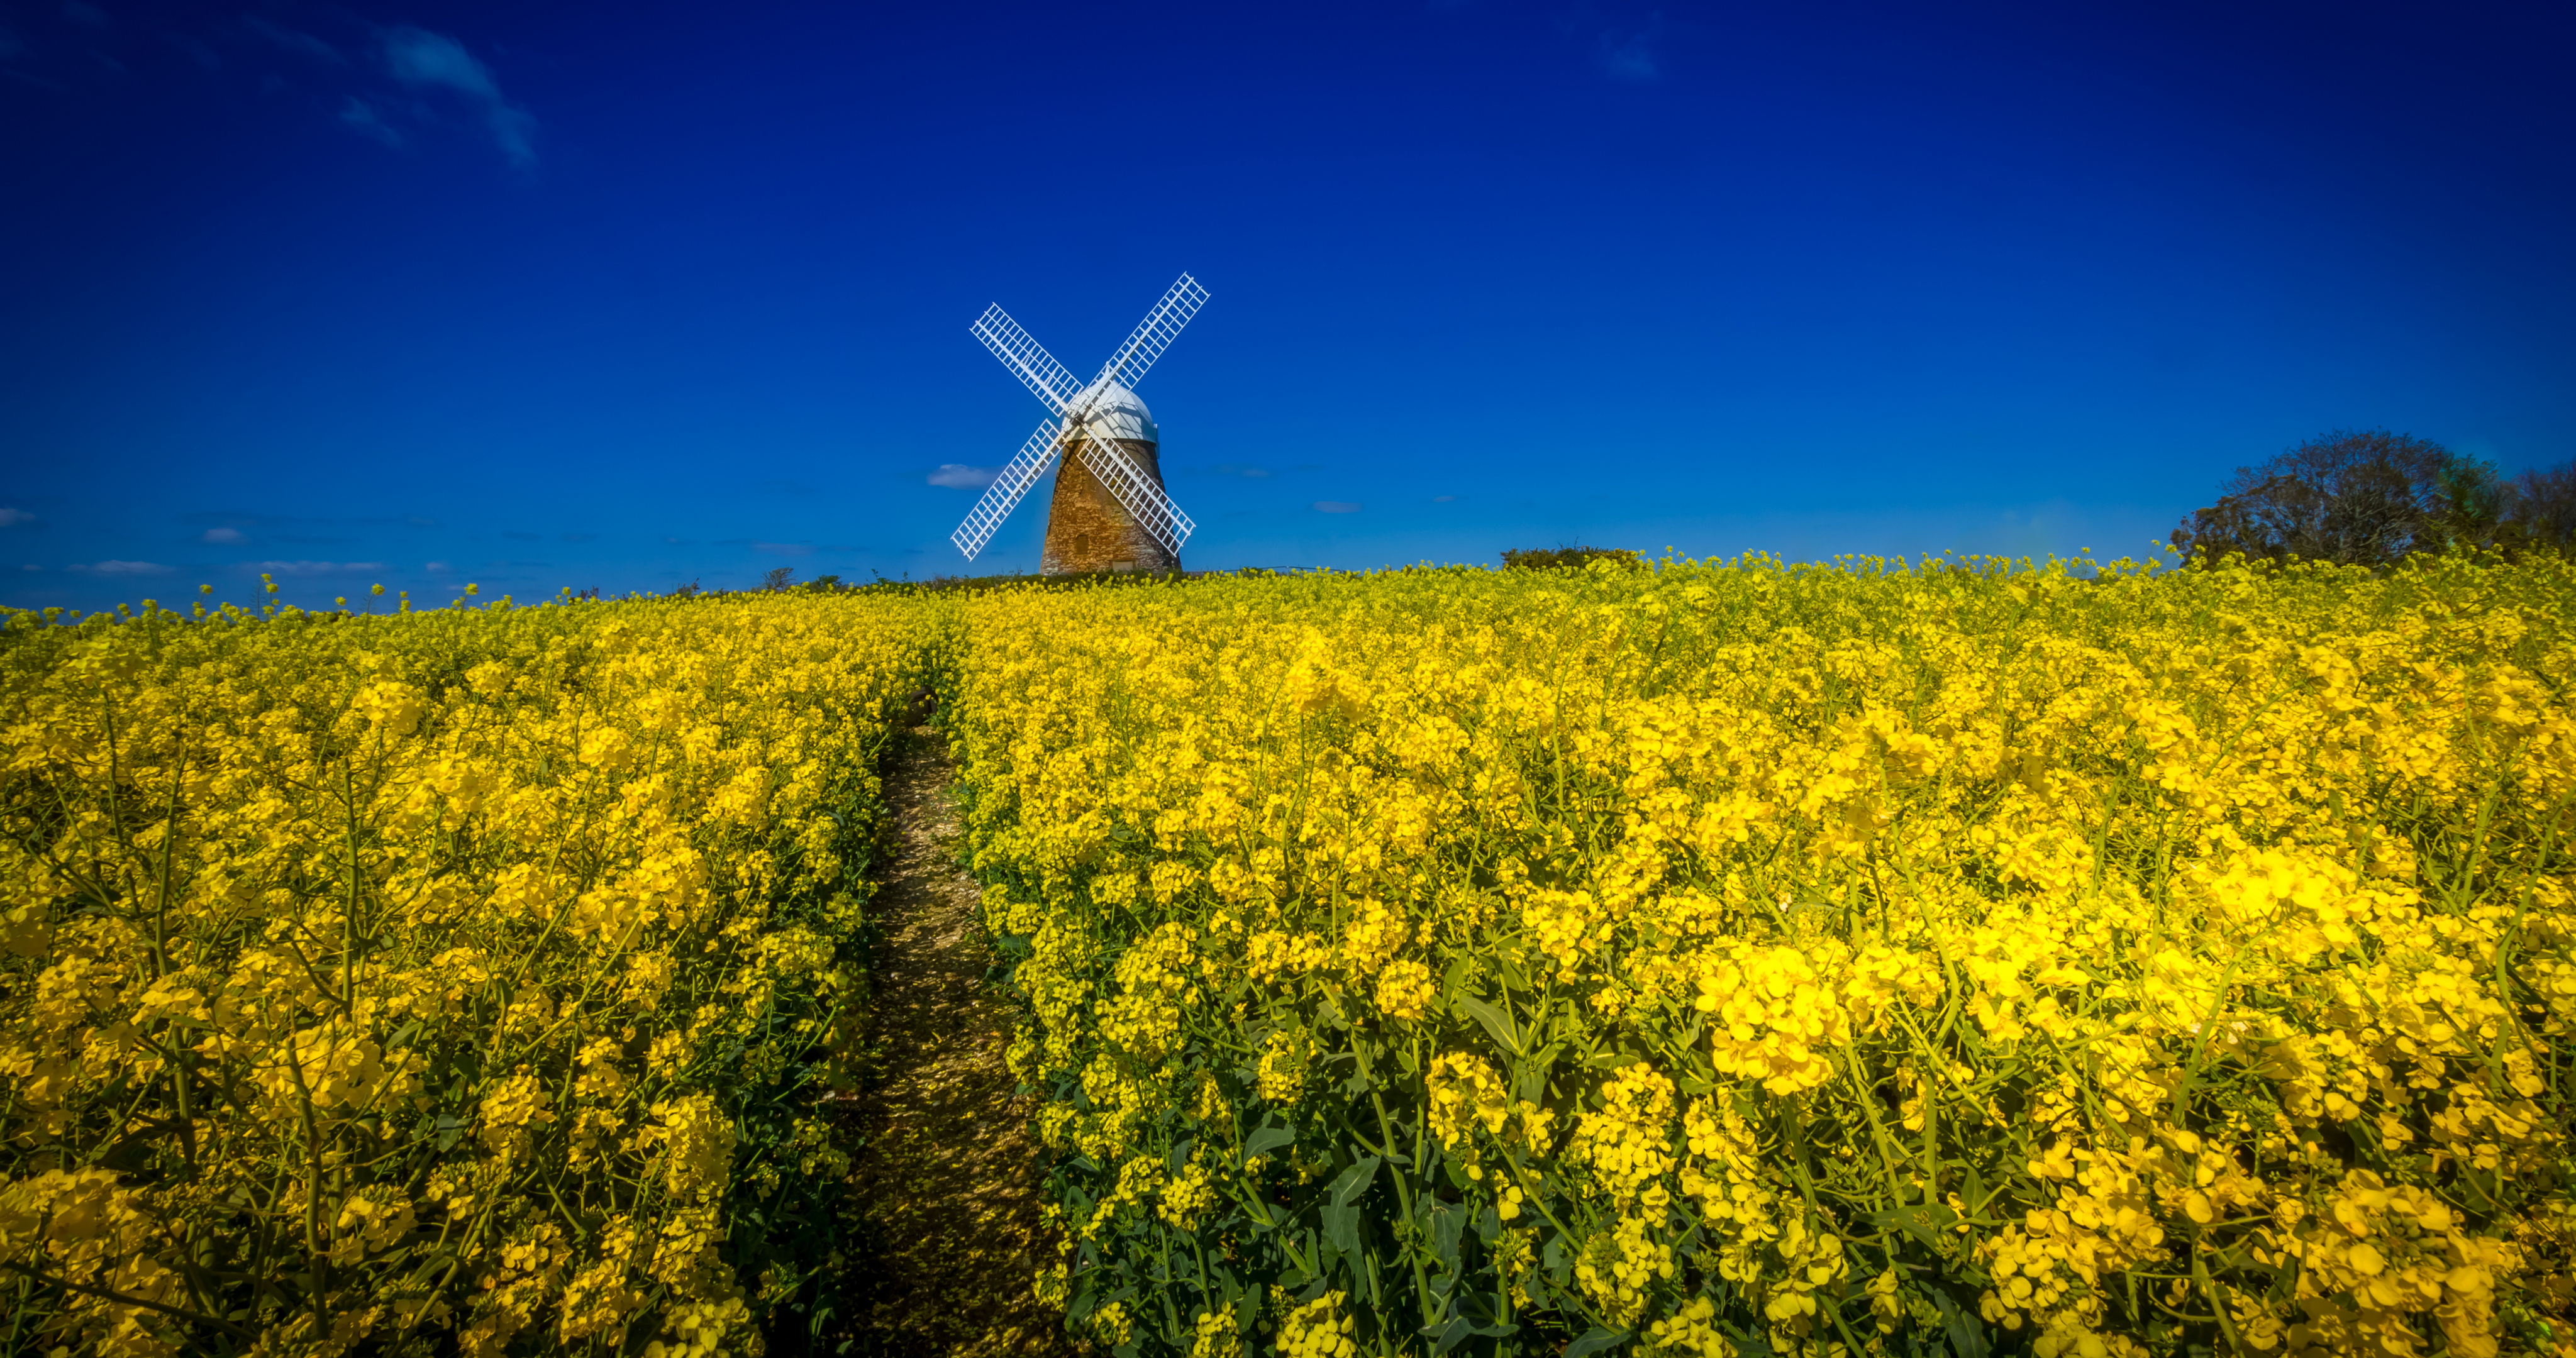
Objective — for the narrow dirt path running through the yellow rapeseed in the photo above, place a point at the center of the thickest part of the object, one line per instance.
(944, 1197)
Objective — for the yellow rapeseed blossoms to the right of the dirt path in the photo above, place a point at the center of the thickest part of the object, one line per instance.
(1871, 957)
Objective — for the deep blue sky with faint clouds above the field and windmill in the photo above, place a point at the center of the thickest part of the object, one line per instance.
(638, 295)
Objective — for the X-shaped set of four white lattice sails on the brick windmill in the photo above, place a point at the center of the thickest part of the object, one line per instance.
(1073, 406)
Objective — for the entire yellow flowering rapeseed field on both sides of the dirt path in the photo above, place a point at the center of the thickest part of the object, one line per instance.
(1951, 957)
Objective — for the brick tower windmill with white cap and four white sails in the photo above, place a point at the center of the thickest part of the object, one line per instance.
(1109, 509)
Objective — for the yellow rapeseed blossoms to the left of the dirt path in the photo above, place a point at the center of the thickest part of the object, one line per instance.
(429, 983)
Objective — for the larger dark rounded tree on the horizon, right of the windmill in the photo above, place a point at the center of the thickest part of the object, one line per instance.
(2351, 499)
